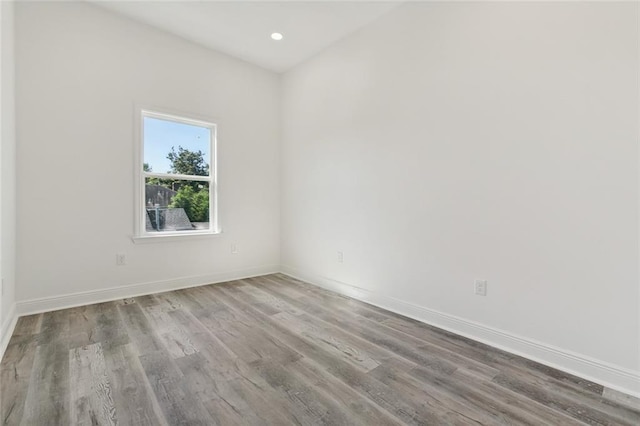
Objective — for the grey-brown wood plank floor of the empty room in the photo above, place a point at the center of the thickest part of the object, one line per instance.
(274, 351)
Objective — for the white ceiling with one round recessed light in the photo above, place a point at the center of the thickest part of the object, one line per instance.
(243, 28)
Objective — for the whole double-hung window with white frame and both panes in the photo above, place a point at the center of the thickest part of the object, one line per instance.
(176, 176)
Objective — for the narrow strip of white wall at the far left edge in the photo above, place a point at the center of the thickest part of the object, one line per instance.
(7, 169)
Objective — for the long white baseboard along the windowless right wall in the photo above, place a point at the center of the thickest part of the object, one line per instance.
(608, 375)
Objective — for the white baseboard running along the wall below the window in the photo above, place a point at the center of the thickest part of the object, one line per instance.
(53, 303)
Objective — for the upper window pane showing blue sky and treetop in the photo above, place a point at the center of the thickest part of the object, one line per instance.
(171, 147)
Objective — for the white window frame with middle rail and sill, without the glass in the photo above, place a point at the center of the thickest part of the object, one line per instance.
(140, 229)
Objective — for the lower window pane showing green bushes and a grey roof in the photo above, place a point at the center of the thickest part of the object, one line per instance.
(176, 205)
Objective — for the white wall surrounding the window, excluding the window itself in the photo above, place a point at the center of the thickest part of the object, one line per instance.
(80, 70)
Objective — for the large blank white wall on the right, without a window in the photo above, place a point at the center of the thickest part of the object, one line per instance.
(498, 141)
